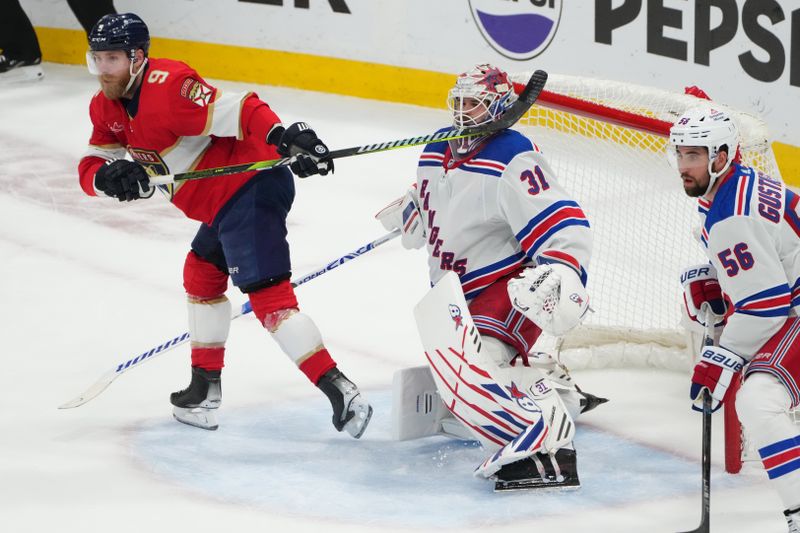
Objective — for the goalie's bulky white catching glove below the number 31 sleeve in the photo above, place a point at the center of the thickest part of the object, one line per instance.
(551, 296)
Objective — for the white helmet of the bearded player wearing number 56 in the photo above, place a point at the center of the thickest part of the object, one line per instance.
(710, 128)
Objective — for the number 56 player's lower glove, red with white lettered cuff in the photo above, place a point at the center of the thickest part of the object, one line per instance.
(714, 372)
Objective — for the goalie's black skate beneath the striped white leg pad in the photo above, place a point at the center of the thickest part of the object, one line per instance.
(540, 471)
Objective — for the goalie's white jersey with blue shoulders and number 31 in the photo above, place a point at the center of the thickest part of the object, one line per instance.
(496, 211)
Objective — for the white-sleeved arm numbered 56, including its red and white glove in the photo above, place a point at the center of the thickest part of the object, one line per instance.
(750, 274)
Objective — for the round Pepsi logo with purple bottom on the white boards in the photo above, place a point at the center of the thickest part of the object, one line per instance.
(518, 30)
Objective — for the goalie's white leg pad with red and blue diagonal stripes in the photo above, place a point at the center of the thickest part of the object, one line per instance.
(511, 408)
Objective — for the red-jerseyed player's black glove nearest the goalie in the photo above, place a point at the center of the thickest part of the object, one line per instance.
(301, 142)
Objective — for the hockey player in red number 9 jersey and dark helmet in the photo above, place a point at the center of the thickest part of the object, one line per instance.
(168, 119)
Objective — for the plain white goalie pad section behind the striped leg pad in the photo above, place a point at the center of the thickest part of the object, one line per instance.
(417, 409)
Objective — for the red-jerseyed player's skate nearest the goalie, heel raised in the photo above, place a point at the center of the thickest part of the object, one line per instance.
(351, 412)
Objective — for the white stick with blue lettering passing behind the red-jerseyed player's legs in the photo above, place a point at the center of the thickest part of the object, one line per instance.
(105, 380)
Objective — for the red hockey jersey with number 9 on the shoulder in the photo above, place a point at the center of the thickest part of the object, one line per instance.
(177, 122)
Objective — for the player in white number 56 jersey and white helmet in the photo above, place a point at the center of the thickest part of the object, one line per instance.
(751, 234)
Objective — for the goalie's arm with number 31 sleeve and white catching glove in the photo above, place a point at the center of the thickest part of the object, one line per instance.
(553, 231)
